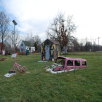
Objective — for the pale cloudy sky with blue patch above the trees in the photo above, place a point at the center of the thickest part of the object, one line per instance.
(35, 16)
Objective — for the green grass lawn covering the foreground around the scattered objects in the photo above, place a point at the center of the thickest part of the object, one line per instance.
(85, 85)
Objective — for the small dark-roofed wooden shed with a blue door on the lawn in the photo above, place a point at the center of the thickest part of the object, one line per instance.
(50, 49)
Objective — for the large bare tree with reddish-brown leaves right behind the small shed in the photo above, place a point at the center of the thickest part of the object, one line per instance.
(61, 30)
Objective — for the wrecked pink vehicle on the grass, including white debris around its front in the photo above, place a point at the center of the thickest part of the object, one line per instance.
(65, 64)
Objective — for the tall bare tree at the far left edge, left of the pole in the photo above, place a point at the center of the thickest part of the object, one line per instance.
(4, 24)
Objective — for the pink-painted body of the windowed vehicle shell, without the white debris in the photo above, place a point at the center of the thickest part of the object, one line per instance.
(70, 63)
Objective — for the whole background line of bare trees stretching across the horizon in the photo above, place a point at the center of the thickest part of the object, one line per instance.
(60, 29)
